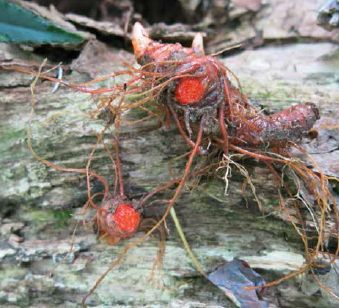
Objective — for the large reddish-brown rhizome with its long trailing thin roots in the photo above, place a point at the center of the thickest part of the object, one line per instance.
(241, 129)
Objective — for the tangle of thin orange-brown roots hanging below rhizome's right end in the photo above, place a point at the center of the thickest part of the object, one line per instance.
(304, 179)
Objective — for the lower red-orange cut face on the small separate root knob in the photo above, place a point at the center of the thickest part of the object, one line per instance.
(126, 218)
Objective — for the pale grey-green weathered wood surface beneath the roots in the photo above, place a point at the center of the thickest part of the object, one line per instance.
(218, 227)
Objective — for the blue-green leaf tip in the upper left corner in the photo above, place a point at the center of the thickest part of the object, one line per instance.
(22, 26)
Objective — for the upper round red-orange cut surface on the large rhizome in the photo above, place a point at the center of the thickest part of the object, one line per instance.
(189, 91)
